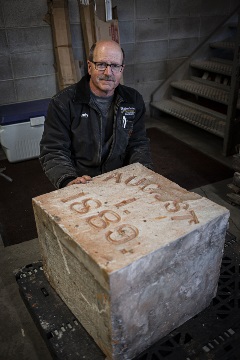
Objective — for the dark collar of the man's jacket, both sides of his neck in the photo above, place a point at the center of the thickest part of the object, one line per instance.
(82, 91)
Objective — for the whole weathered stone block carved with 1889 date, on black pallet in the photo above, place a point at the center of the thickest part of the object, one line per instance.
(132, 254)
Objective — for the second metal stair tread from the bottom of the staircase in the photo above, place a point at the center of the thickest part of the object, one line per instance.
(208, 92)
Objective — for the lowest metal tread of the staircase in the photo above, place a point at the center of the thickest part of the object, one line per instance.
(192, 115)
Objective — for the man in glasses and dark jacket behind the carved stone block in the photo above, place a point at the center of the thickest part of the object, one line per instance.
(96, 125)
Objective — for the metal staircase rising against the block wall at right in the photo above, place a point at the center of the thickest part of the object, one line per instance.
(204, 90)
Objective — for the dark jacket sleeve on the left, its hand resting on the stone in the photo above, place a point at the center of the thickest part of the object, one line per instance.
(55, 146)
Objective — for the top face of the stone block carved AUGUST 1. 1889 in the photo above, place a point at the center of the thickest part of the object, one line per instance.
(123, 215)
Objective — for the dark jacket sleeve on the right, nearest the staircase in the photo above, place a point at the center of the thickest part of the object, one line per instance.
(138, 149)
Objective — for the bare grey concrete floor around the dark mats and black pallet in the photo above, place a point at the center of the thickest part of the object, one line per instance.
(19, 337)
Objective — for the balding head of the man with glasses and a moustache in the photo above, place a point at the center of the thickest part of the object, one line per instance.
(105, 67)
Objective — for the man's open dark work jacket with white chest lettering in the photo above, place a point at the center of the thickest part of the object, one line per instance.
(71, 144)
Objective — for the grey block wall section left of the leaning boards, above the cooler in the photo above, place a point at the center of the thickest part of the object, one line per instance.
(26, 52)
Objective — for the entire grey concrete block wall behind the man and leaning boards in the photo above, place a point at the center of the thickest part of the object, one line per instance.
(156, 35)
